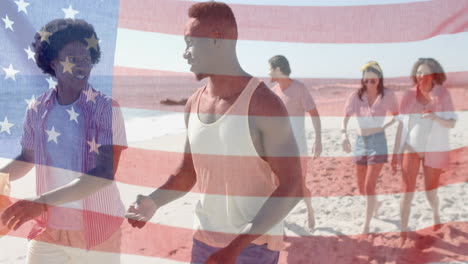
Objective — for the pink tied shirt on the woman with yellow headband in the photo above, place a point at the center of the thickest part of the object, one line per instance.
(371, 116)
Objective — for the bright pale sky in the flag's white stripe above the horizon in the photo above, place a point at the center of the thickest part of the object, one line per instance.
(308, 60)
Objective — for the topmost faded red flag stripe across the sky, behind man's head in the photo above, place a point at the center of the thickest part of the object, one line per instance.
(313, 24)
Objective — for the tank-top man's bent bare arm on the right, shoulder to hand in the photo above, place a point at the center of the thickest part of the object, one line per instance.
(280, 151)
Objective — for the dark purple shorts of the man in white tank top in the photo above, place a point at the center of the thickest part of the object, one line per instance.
(252, 254)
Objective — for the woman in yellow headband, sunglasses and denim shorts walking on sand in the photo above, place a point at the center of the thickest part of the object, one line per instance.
(370, 104)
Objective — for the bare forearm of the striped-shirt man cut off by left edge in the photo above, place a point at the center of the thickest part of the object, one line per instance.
(20, 166)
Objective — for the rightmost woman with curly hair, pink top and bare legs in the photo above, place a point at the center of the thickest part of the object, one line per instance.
(426, 115)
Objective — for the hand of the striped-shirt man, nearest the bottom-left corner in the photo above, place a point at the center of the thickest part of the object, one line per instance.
(22, 211)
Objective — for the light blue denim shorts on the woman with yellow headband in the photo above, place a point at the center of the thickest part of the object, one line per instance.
(371, 149)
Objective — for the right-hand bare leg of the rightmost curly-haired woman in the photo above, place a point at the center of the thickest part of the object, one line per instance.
(431, 181)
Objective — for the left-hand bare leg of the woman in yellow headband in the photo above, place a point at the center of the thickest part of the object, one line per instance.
(373, 172)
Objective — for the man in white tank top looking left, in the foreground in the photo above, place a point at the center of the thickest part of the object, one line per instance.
(240, 151)
